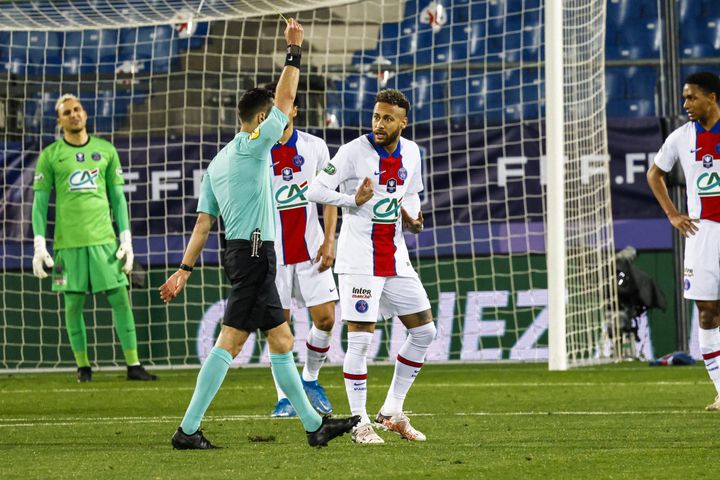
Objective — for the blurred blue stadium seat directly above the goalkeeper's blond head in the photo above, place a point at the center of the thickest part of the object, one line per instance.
(90, 51)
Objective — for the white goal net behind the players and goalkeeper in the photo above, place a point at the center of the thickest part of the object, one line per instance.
(161, 79)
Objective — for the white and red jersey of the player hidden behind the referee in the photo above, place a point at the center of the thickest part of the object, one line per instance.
(298, 234)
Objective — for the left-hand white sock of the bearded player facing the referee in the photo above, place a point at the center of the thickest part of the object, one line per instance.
(355, 373)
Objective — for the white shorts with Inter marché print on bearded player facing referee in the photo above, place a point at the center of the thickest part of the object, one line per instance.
(363, 297)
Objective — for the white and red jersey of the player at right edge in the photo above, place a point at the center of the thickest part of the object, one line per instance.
(699, 153)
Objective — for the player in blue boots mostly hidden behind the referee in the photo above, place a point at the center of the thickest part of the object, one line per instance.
(304, 254)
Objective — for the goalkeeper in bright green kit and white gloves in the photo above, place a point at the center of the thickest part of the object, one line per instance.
(85, 172)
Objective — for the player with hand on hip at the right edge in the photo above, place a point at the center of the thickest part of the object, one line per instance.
(696, 145)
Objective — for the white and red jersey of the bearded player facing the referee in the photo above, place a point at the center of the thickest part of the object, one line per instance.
(371, 241)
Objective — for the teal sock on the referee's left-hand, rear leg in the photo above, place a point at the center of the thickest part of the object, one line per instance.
(208, 383)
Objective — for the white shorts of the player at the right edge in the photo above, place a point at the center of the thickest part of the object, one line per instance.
(702, 262)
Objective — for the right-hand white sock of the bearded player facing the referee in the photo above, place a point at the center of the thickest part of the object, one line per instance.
(407, 366)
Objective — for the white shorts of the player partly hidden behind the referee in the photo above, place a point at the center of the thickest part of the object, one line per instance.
(303, 282)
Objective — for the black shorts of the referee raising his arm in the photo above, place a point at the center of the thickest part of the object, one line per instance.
(253, 302)
